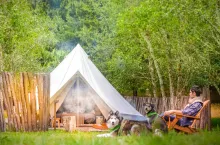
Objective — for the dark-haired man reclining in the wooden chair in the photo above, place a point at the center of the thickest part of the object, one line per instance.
(191, 109)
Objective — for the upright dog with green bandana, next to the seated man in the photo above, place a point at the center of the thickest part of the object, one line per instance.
(157, 123)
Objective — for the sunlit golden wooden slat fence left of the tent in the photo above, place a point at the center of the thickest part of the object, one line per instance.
(24, 102)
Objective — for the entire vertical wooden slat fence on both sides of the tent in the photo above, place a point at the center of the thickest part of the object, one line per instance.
(24, 103)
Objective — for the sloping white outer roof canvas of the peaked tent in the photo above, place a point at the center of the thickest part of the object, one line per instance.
(77, 61)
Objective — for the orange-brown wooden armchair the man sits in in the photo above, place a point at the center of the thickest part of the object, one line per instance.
(186, 129)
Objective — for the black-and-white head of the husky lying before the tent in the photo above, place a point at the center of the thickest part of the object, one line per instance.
(114, 119)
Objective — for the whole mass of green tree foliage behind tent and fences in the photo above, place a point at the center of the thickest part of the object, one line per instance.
(36, 35)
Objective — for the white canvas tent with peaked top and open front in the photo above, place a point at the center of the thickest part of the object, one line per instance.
(78, 71)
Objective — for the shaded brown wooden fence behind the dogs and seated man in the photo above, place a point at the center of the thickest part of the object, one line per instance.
(163, 104)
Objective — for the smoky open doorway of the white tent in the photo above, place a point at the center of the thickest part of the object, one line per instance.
(80, 102)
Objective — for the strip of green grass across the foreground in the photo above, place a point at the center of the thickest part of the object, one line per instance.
(85, 138)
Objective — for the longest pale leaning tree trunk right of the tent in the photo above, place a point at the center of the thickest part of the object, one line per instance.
(156, 65)
